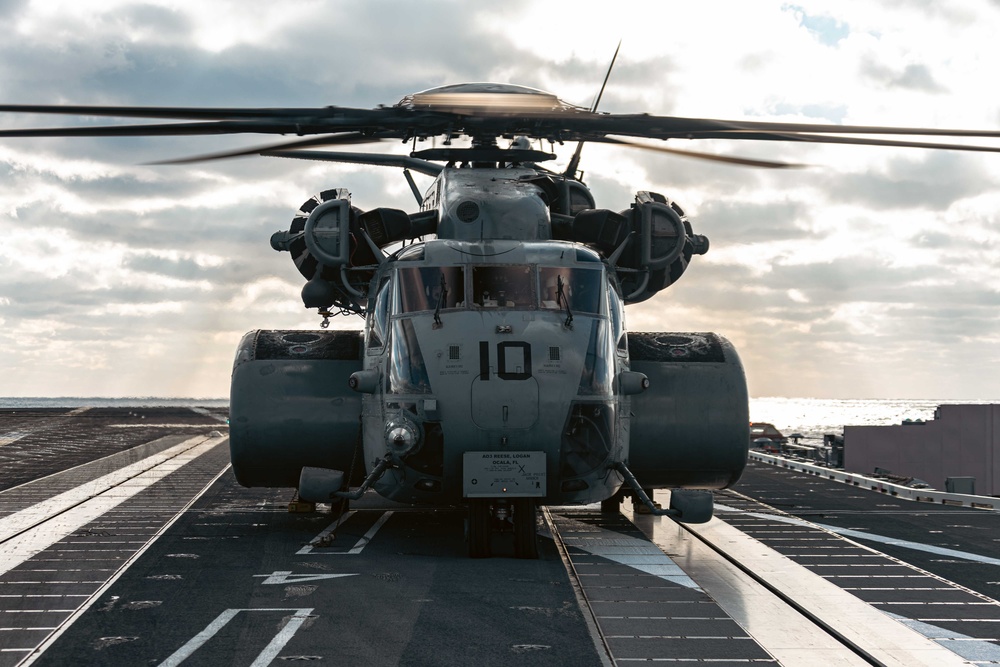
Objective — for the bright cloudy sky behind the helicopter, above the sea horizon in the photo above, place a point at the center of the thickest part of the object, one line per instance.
(874, 273)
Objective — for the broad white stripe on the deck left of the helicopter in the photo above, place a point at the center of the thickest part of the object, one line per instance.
(34, 529)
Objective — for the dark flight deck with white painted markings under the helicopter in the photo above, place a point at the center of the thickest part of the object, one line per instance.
(156, 556)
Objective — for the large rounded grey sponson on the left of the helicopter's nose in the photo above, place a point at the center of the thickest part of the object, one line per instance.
(291, 406)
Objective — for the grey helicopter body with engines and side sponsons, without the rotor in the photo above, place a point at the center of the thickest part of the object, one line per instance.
(494, 368)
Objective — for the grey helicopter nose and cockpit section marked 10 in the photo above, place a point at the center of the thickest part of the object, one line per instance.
(496, 351)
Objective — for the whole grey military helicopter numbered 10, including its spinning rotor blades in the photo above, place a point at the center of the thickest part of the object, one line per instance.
(494, 369)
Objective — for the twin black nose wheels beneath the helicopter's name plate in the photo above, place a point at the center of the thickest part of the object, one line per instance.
(487, 516)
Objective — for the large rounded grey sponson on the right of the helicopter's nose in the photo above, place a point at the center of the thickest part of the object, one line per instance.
(691, 428)
